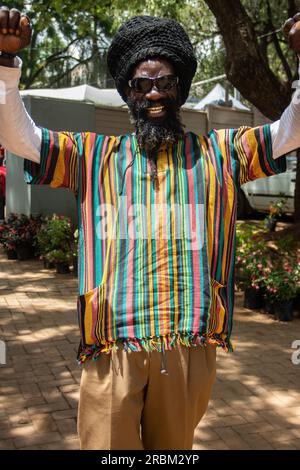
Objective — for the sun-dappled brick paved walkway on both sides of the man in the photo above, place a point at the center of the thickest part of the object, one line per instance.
(256, 398)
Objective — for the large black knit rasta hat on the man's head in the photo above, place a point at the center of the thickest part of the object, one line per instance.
(143, 37)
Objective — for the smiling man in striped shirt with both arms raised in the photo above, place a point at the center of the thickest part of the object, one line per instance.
(156, 287)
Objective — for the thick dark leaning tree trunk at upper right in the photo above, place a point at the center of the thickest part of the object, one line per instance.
(244, 65)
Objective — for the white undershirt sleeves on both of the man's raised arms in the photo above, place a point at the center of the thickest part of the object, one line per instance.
(20, 135)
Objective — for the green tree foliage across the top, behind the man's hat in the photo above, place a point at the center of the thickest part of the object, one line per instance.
(69, 33)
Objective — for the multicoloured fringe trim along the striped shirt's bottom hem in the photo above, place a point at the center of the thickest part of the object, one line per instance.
(152, 344)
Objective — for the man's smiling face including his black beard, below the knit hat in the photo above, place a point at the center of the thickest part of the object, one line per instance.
(155, 112)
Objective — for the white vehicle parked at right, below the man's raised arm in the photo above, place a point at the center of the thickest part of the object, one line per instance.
(258, 195)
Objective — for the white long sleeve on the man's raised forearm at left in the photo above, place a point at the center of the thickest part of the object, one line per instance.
(18, 133)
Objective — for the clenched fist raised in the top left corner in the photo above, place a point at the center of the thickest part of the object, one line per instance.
(15, 31)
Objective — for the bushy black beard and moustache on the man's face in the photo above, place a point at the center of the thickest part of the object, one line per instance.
(152, 134)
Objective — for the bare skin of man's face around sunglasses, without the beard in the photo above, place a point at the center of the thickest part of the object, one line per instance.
(155, 68)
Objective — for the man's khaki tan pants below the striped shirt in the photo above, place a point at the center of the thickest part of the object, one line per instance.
(126, 403)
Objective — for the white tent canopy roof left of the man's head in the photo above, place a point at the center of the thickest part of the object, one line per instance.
(106, 97)
